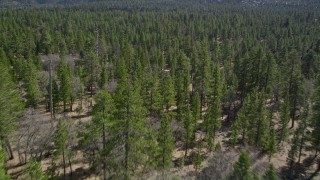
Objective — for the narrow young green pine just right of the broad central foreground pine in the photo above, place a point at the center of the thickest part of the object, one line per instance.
(166, 143)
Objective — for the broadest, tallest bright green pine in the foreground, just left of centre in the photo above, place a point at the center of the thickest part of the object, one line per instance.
(136, 137)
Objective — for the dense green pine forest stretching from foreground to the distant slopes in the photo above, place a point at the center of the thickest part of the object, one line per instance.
(142, 72)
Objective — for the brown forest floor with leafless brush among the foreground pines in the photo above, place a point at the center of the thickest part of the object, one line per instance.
(217, 164)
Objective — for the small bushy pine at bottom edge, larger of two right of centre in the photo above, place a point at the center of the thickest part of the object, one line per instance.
(242, 167)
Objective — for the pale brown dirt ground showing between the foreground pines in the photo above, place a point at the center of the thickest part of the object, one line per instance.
(216, 164)
